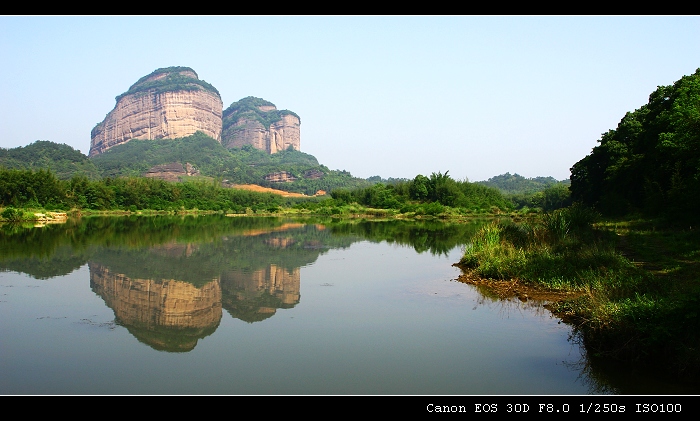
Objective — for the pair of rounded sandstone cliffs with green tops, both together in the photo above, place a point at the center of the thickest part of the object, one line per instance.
(174, 103)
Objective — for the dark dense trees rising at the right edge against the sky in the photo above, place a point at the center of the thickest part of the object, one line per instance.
(651, 162)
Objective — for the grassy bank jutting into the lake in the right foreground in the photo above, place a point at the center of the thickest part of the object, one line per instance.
(639, 282)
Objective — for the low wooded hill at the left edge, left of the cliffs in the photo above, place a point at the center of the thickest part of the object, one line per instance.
(61, 159)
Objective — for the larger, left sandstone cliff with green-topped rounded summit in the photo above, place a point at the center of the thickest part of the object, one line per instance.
(169, 103)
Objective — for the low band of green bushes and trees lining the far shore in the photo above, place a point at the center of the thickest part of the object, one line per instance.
(437, 196)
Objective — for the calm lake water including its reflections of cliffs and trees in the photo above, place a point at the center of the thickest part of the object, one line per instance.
(216, 305)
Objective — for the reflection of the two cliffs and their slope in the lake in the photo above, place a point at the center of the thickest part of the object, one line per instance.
(171, 295)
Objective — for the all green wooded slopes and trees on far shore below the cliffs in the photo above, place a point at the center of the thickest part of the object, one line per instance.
(120, 183)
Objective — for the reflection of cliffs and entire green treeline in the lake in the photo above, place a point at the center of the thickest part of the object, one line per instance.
(167, 278)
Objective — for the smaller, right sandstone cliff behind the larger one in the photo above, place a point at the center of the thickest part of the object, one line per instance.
(257, 122)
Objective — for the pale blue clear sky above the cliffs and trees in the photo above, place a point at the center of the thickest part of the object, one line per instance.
(394, 96)
